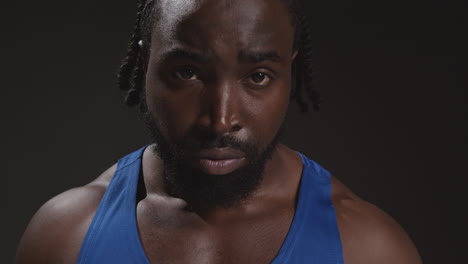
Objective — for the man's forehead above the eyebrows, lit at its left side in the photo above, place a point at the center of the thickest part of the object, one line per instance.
(206, 24)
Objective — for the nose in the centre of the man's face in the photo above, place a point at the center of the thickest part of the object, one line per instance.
(221, 108)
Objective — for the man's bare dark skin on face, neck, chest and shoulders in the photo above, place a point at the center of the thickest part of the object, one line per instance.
(222, 93)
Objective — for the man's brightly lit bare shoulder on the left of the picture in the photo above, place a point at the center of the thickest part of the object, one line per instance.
(55, 233)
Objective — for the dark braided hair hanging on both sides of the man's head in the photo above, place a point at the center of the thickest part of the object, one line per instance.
(131, 72)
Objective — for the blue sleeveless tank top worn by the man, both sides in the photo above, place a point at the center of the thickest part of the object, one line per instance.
(313, 236)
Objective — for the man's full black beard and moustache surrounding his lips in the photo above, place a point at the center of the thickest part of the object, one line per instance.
(202, 191)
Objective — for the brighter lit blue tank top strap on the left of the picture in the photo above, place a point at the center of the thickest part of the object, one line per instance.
(113, 234)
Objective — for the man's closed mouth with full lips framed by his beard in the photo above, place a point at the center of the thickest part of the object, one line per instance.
(219, 161)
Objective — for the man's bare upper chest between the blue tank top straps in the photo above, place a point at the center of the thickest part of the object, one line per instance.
(179, 238)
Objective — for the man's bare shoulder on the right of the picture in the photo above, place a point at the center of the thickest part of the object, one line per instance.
(368, 234)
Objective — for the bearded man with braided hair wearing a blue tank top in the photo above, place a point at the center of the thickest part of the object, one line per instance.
(213, 79)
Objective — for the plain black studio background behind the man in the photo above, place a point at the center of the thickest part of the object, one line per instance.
(393, 126)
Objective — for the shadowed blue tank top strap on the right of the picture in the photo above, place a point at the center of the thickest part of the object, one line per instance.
(313, 236)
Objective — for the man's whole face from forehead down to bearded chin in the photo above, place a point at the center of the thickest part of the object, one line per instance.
(217, 89)
